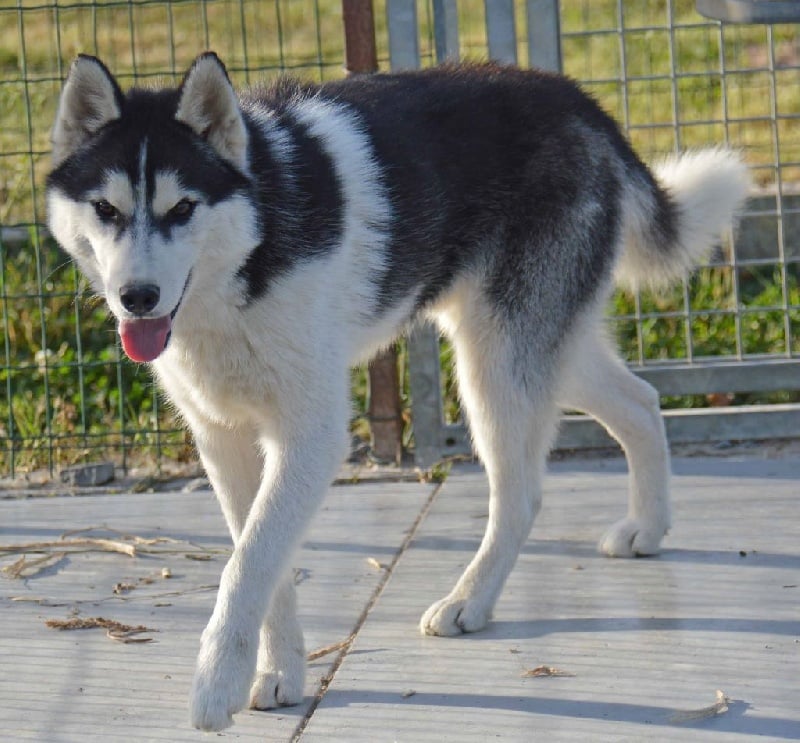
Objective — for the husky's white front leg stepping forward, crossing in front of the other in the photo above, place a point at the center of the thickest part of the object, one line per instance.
(297, 471)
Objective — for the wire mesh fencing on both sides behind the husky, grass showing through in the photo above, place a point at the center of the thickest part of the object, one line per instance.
(672, 78)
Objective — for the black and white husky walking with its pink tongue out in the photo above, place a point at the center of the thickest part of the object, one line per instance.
(254, 245)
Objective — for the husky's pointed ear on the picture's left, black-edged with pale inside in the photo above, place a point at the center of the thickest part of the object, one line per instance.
(90, 99)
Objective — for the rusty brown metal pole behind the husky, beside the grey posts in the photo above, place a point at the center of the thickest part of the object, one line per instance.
(384, 411)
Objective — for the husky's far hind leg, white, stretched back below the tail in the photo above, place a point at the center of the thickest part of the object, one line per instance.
(597, 382)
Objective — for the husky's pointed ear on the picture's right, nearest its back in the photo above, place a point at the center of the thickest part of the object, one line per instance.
(208, 104)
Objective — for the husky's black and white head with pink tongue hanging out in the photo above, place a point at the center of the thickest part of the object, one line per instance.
(144, 185)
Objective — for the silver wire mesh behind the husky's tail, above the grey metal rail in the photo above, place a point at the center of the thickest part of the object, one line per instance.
(682, 82)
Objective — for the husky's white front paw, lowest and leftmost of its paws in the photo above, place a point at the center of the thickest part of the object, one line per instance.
(222, 681)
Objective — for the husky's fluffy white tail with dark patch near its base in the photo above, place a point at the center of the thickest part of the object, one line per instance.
(673, 224)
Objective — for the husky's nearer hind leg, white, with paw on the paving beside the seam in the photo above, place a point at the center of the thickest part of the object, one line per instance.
(512, 420)
